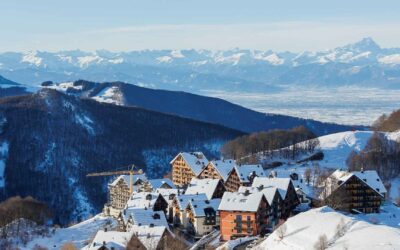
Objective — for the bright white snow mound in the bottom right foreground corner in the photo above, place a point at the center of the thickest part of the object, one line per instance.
(303, 231)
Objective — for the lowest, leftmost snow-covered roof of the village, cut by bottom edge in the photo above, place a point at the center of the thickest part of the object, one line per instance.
(109, 239)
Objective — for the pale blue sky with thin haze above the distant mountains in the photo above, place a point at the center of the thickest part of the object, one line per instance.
(181, 24)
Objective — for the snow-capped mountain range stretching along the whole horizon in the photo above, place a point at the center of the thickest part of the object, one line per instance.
(363, 63)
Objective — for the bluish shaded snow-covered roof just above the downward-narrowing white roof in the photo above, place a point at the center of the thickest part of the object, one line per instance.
(145, 217)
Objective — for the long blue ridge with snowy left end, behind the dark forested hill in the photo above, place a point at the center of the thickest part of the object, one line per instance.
(202, 108)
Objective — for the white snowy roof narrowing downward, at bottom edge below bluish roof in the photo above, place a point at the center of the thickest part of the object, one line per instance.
(150, 237)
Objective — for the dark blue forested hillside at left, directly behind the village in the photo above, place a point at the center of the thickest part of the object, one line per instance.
(50, 141)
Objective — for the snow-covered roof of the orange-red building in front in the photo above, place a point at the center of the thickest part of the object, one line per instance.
(240, 202)
